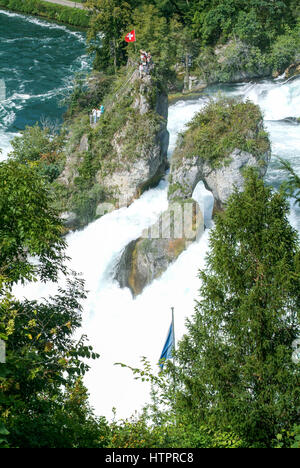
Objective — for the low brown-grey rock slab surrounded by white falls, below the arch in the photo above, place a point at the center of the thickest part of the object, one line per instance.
(146, 258)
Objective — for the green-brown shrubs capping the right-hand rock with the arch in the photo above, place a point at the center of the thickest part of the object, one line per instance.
(221, 127)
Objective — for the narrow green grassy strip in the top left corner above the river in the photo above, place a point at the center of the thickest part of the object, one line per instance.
(72, 16)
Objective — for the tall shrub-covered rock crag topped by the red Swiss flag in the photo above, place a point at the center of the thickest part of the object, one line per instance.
(121, 156)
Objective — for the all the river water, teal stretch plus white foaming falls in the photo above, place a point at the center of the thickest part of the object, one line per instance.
(122, 329)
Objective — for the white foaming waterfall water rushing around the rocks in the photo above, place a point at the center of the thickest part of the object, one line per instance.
(123, 329)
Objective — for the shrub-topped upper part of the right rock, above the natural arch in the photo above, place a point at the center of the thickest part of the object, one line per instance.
(193, 159)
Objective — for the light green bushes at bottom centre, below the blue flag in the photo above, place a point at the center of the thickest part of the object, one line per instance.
(160, 425)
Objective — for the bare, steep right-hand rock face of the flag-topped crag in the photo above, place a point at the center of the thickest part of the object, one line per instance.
(140, 146)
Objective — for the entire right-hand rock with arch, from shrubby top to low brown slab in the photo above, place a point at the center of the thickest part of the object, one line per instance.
(196, 158)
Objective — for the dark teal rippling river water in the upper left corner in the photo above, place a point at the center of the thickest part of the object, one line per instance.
(37, 62)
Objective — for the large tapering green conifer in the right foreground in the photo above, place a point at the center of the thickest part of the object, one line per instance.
(234, 365)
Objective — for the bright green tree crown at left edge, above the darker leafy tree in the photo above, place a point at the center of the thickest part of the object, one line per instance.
(28, 225)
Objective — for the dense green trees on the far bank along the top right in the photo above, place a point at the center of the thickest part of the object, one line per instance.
(217, 41)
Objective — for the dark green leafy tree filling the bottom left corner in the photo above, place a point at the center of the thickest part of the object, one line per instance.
(43, 402)
